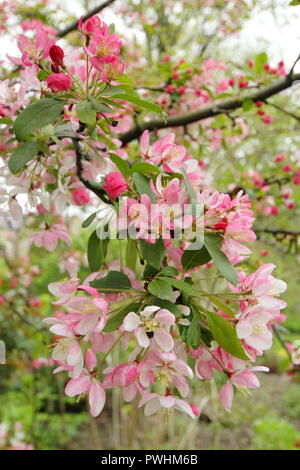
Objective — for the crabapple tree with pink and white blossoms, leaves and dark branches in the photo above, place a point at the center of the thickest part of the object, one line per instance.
(171, 279)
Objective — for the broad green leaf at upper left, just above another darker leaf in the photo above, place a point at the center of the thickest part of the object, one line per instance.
(36, 116)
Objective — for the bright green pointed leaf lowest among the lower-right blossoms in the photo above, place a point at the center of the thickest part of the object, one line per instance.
(225, 335)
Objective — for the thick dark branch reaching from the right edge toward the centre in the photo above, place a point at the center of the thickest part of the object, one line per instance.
(210, 111)
